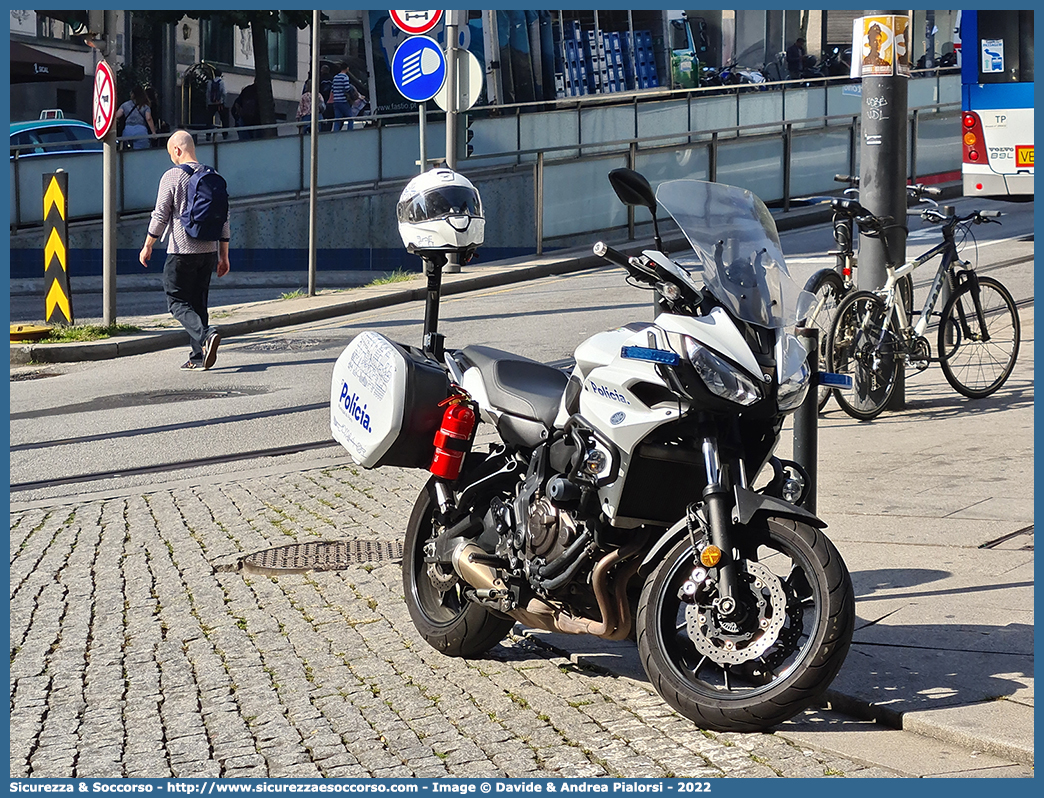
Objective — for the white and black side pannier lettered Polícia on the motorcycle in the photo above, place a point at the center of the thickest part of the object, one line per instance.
(385, 403)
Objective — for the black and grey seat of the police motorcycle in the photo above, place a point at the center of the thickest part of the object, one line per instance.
(519, 386)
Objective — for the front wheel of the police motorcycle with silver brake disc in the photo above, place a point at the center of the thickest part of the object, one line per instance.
(751, 673)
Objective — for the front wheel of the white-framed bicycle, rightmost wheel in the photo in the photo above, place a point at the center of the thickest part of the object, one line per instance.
(978, 354)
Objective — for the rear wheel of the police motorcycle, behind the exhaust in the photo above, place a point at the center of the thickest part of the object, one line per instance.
(446, 620)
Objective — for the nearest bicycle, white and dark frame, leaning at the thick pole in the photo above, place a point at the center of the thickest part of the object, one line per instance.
(873, 333)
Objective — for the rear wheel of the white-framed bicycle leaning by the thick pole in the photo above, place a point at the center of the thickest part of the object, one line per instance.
(863, 349)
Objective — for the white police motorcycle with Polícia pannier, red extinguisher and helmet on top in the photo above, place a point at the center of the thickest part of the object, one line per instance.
(620, 501)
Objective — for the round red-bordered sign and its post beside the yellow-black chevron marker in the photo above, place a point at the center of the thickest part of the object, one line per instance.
(104, 114)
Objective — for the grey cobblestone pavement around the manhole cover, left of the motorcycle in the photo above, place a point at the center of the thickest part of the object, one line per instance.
(139, 650)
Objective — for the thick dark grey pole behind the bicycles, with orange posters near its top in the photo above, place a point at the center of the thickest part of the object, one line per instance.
(883, 176)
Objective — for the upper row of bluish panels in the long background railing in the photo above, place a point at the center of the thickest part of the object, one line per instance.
(571, 131)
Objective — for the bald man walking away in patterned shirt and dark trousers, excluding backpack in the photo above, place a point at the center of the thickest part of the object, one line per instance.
(191, 262)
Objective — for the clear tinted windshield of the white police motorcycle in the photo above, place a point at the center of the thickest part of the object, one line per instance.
(737, 244)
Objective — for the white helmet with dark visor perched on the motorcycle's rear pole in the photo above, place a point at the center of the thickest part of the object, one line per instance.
(441, 210)
